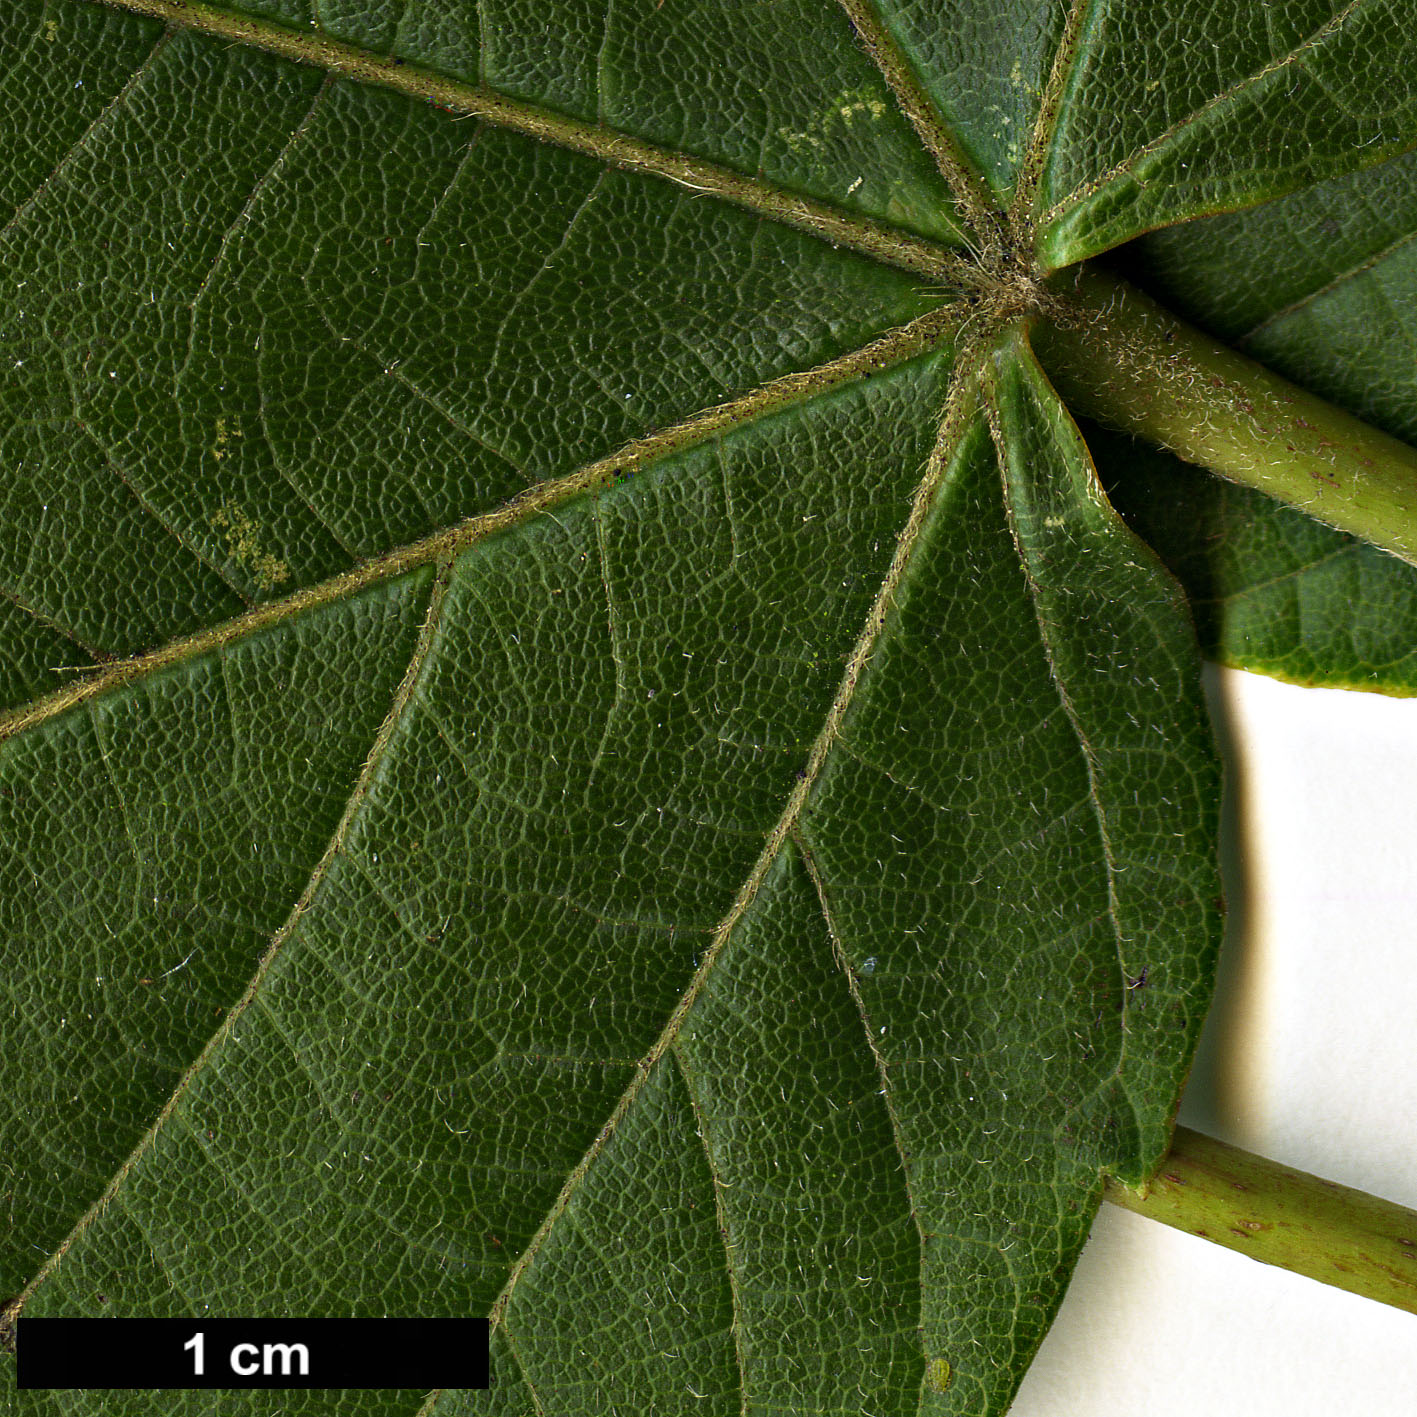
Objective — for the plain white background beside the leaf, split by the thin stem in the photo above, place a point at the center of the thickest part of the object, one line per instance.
(1307, 1059)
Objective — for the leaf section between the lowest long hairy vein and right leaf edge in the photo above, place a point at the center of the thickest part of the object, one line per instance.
(930, 923)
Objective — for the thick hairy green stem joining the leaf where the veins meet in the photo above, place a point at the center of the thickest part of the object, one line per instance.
(1129, 363)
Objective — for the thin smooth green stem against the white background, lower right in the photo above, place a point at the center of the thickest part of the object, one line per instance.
(1280, 1216)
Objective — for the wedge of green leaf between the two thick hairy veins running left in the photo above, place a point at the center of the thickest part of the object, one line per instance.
(257, 352)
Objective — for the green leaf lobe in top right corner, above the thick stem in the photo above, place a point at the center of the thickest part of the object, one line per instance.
(1216, 108)
